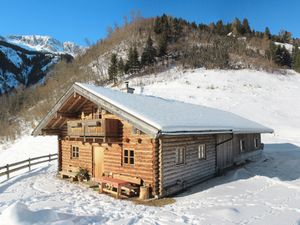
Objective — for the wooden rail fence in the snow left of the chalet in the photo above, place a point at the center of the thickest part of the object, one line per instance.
(28, 163)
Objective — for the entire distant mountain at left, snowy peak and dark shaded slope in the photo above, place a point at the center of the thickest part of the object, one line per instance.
(25, 60)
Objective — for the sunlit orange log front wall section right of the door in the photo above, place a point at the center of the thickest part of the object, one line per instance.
(144, 154)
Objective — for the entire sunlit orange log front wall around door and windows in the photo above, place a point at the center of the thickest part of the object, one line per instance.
(145, 165)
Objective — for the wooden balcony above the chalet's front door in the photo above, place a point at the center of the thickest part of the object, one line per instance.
(93, 128)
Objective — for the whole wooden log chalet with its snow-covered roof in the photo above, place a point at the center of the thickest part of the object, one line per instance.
(161, 144)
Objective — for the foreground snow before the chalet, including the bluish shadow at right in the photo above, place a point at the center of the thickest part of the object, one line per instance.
(262, 192)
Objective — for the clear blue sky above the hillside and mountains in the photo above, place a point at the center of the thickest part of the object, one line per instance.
(81, 20)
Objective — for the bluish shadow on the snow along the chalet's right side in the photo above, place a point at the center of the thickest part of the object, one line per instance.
(280, 161)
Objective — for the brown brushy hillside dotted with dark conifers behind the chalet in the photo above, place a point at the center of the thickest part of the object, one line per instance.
(150, 46)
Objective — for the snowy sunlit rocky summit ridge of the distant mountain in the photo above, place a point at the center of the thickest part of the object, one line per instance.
(45, 44)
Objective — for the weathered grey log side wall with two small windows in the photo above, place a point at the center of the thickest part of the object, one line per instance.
(176, 177)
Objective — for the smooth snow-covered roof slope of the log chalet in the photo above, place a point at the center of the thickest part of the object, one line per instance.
(173, 117)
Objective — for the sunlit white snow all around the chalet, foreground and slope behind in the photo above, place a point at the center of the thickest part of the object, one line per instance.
(262, 192)
